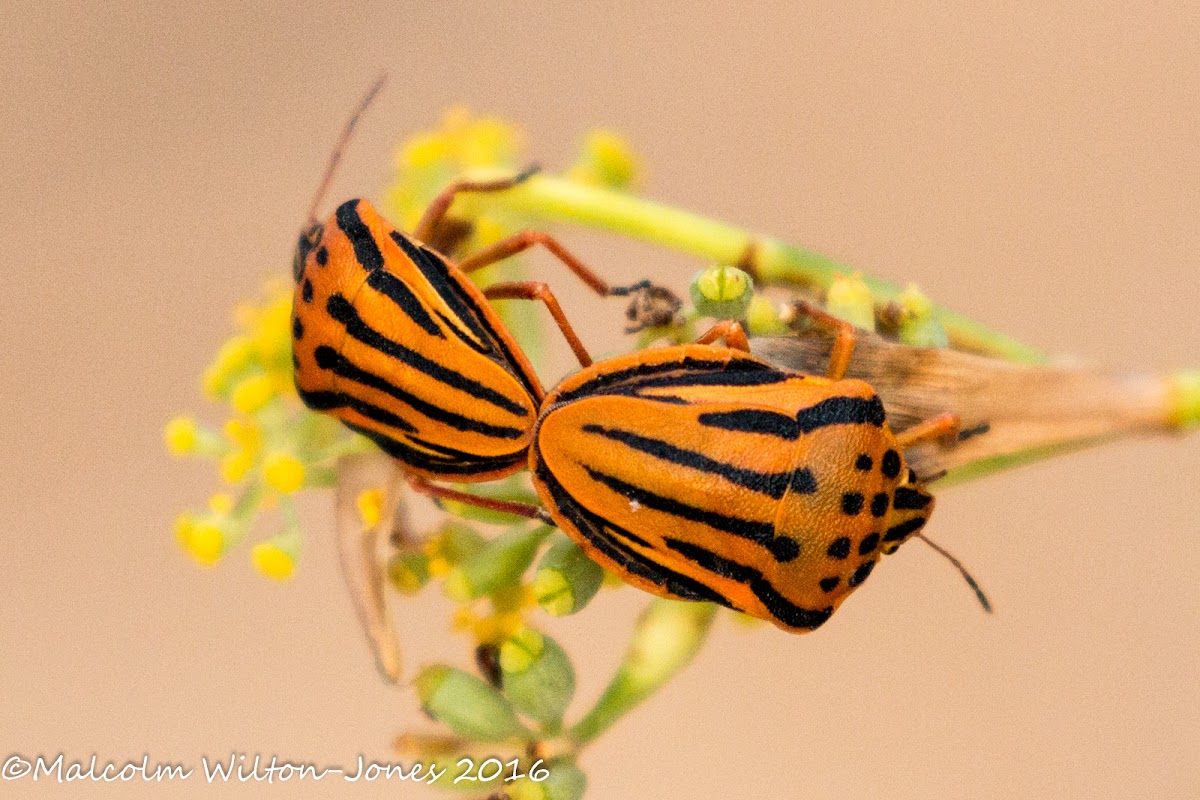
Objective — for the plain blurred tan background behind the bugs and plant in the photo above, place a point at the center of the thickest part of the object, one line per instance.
(1033, 166)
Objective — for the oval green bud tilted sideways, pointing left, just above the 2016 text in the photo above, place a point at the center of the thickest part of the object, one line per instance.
(469, 706)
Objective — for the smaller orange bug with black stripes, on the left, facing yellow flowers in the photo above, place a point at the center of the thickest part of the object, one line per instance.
(394, 339)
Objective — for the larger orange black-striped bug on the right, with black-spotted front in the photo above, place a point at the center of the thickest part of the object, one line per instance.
(704, 473)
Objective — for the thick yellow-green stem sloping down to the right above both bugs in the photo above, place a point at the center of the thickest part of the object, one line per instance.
(556, 200)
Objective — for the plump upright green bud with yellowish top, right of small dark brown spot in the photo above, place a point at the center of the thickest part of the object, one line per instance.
(538, 677)
